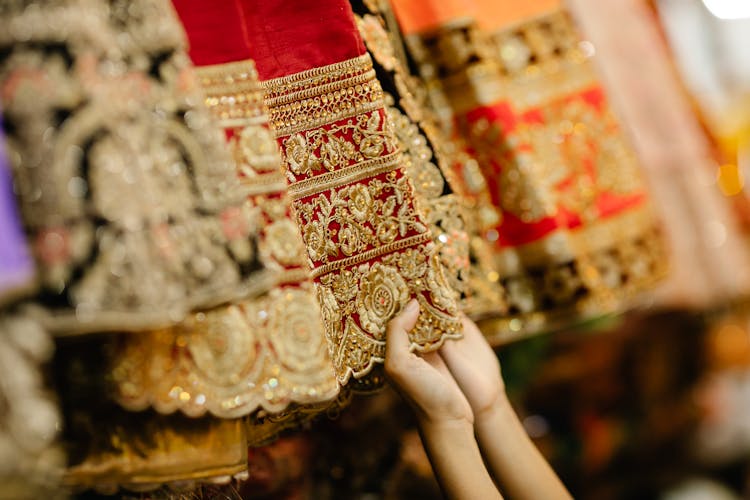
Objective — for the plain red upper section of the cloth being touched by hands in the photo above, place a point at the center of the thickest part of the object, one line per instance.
(289, 36)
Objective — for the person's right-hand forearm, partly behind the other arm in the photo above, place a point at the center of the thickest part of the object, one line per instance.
(514, 461)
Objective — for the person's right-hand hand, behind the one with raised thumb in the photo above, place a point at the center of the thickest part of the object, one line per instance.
(476, 369)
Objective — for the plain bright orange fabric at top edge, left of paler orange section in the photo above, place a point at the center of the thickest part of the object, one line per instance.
(416, 16)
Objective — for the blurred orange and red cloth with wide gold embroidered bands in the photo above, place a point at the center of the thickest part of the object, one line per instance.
(577, 237)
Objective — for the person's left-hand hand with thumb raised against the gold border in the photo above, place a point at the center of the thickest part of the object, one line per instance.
(423, 380)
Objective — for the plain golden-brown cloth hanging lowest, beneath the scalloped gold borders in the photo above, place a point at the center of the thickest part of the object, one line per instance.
(148, 451)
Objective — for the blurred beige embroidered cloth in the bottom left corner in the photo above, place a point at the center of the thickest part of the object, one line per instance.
(31, 463)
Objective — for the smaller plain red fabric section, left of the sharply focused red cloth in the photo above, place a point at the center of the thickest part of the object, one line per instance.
(216, 30)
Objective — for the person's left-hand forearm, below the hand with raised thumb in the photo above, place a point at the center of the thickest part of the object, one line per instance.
(456, 460)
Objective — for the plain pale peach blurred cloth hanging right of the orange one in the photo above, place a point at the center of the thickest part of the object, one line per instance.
(709, 259)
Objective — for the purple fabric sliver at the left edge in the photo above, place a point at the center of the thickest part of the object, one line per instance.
(16, 265)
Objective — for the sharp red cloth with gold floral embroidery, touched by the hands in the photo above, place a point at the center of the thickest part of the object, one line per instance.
(370, 249)
